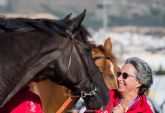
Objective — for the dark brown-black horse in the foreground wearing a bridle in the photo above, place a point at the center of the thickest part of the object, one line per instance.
(54, 49)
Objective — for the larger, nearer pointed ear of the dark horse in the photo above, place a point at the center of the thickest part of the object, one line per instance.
(76, 22)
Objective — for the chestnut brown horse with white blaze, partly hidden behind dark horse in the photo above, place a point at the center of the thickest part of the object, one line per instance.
(60, 101)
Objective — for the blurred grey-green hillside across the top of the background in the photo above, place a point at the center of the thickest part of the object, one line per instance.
(116, 12)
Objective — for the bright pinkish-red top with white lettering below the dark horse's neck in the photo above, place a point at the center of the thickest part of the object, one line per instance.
(24, 101)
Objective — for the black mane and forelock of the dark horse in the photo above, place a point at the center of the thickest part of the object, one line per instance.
(48, 26)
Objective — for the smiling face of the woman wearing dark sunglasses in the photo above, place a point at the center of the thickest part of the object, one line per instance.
(127, 79)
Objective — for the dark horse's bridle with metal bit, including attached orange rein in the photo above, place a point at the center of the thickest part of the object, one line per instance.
(83, 94)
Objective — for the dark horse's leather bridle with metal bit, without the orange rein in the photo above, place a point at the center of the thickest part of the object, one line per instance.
(93, 88)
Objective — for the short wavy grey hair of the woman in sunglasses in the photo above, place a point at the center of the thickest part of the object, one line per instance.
(143, 72)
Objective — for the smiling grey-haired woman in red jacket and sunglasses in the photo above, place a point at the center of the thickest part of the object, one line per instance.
(134, 79)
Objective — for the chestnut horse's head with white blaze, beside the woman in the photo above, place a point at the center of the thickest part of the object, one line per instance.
(106, 62)
